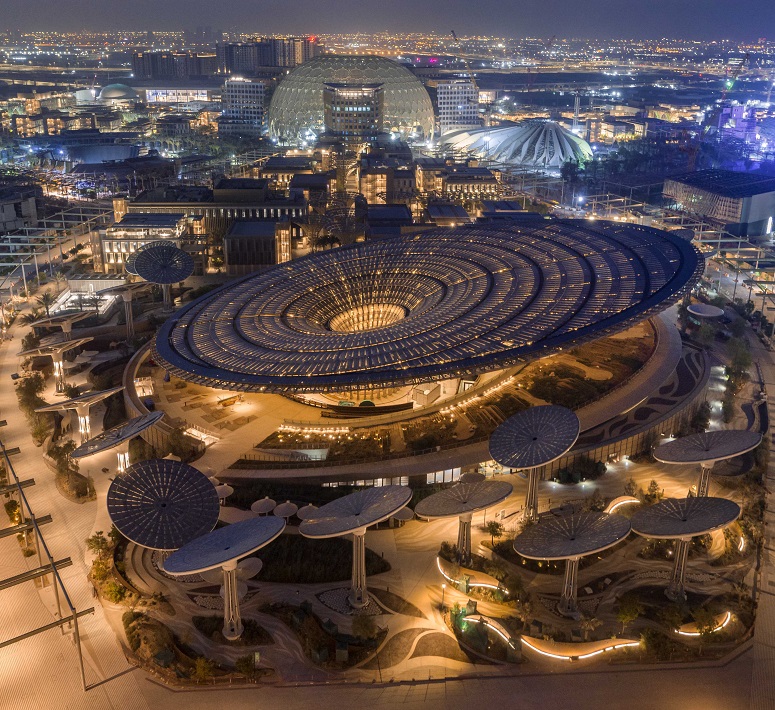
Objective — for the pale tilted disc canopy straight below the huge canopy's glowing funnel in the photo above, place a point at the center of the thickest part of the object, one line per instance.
(355, 511)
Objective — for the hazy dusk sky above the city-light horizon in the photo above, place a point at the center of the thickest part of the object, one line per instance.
(648, 19)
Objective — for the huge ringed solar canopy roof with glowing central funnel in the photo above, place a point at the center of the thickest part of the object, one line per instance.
(416, 308)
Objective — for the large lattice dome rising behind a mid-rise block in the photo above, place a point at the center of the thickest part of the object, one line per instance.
(296, 110)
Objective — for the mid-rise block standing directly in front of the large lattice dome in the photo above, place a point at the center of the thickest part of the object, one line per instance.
(353, 112)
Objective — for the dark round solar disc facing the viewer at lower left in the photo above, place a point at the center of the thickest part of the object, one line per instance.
(162, 504)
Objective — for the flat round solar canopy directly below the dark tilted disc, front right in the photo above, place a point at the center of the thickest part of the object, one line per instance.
(570, 536)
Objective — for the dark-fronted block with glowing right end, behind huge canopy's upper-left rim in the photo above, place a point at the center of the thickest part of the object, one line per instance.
(252, 245)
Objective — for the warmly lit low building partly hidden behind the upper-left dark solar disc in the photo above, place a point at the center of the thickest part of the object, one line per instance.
(133, 231)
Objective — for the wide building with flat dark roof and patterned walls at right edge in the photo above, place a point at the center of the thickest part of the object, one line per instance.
(743, 204)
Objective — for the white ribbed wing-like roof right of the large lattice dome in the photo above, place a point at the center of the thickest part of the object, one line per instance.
(539, 144)
